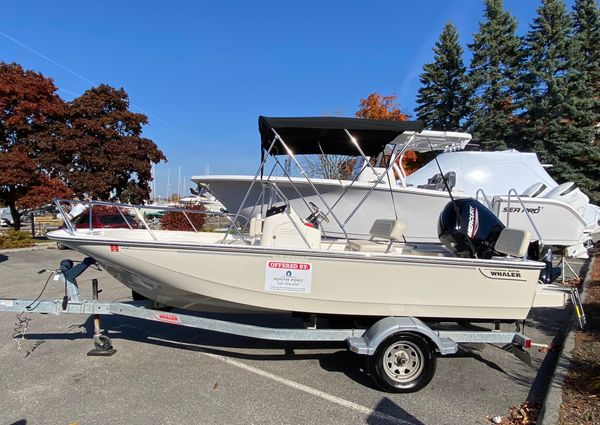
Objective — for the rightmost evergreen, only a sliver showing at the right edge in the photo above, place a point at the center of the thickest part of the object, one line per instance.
(586, 17)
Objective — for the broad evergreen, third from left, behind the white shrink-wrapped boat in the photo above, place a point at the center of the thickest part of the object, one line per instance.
(556, 100)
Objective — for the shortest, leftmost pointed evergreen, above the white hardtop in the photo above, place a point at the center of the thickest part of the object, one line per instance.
(442, 98)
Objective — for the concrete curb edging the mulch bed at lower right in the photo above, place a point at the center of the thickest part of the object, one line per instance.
(549, 413)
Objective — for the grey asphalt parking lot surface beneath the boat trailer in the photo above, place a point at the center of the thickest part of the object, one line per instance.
(173, 375)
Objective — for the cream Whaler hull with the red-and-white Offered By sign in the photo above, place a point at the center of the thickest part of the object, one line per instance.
(241, 278)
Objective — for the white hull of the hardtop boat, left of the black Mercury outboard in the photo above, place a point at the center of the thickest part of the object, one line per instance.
(418, 208)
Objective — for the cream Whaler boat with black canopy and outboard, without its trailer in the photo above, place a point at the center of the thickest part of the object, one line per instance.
(282, 262)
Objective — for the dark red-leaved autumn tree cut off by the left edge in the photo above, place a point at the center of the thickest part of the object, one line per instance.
(31, 117)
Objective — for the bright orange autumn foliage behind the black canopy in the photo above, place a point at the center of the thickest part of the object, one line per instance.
(378, 107)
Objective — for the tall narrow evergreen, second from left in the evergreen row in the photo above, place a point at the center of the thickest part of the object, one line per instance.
(492, 78)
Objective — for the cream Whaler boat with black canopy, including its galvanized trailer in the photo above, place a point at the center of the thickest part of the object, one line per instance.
(282, 262)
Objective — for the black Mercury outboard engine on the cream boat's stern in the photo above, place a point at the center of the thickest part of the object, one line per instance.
(469, 229)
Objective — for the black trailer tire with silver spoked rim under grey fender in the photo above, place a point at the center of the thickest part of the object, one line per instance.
(403, 363)
